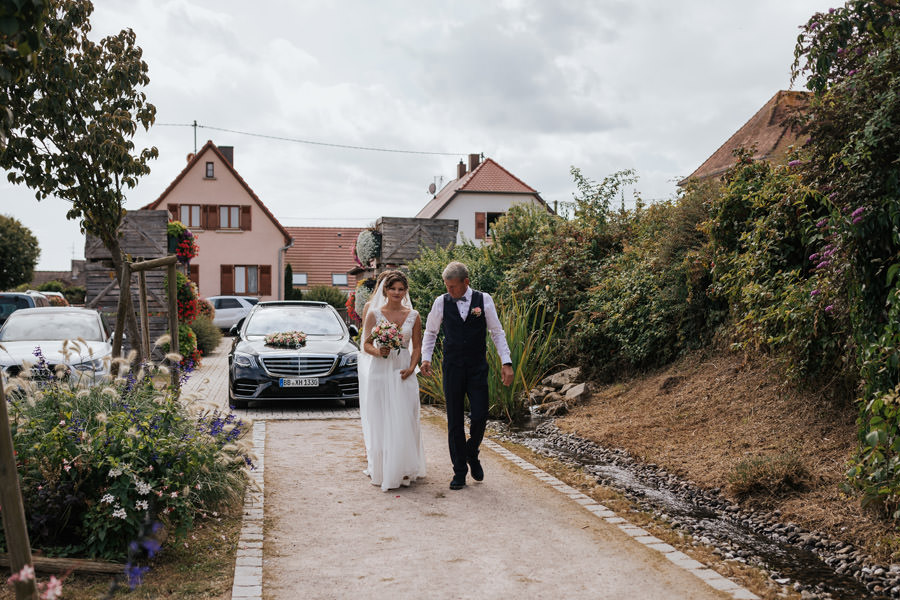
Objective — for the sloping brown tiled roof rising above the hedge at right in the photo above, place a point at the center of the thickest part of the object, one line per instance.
(770, 130)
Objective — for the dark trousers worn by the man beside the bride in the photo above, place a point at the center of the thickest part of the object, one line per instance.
(461, 381)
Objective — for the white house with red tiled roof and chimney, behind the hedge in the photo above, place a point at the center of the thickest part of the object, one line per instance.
(478, 197)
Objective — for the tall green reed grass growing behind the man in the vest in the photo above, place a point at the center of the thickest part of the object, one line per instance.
(532, 336)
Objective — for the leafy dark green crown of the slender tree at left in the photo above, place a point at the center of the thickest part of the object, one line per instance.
(83, 105)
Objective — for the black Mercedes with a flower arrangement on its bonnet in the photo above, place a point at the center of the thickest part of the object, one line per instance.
(325, 368)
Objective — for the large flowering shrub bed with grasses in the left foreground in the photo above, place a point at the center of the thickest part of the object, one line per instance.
(98, 462)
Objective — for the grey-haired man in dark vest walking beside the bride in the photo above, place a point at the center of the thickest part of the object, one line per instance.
(466, 317)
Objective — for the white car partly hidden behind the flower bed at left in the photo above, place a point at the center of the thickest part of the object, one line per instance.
(48, 328)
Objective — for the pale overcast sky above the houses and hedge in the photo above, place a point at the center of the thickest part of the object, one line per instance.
(539, 86)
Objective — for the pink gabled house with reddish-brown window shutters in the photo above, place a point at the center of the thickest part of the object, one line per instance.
(242, 244)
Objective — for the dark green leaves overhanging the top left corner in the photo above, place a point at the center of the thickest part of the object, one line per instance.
(21, 25)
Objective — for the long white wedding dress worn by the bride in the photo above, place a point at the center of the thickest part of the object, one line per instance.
(394, 447)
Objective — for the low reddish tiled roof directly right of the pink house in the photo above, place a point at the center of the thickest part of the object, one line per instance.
(321, 251)
